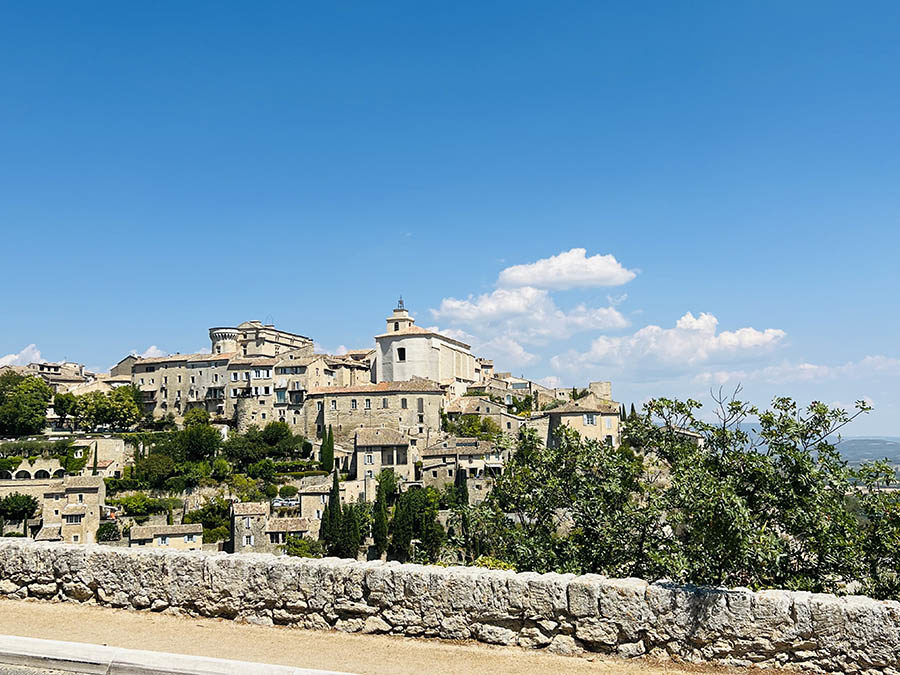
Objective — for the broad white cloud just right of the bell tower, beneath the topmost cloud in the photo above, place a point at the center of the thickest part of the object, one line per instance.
(526, 313)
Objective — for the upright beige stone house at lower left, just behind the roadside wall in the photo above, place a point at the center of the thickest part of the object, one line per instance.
(72, 510)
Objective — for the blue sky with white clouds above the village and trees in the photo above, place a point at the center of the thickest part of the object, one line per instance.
(671, 196)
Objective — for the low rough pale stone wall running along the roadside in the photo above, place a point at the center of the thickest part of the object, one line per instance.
(562, 613)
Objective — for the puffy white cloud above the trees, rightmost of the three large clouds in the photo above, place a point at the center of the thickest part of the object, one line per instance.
(692, 342)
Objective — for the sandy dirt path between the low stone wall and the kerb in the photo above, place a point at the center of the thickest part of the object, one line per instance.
(353, 653)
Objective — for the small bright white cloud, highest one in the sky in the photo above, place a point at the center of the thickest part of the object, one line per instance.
(569, 269)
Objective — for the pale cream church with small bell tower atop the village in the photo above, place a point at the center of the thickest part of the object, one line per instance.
(406, 351)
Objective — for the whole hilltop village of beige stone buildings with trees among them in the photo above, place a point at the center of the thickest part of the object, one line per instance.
(418, 405)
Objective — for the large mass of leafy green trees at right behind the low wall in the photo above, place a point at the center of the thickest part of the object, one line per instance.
(780, 509)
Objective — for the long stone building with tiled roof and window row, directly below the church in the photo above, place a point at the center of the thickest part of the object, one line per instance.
(412, 407)
